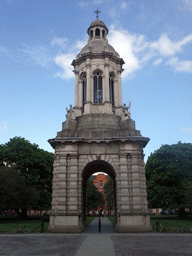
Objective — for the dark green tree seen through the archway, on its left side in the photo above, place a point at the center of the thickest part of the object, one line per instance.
(94, 197)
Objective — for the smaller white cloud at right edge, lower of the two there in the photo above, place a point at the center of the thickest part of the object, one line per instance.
(180, 65)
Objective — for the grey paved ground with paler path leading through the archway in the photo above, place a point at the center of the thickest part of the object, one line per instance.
(92, 243)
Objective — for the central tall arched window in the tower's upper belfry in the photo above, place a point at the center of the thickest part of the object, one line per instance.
(98, 90)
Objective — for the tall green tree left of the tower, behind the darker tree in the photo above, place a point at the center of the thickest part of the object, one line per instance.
(34, 164)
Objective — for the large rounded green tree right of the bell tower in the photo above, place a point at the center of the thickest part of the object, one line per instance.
(168, 175)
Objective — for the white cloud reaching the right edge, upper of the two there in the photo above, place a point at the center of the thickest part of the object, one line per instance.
(168, 48)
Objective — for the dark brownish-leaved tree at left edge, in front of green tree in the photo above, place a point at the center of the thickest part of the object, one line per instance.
(14, 193)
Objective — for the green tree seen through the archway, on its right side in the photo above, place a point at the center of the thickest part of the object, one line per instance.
(109, 193)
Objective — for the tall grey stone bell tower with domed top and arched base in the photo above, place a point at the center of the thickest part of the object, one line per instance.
(98, 135)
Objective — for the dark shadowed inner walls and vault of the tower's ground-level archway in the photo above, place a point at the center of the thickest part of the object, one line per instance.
(89, 169)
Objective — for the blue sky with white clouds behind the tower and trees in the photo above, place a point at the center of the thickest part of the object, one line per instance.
(40, 38)
